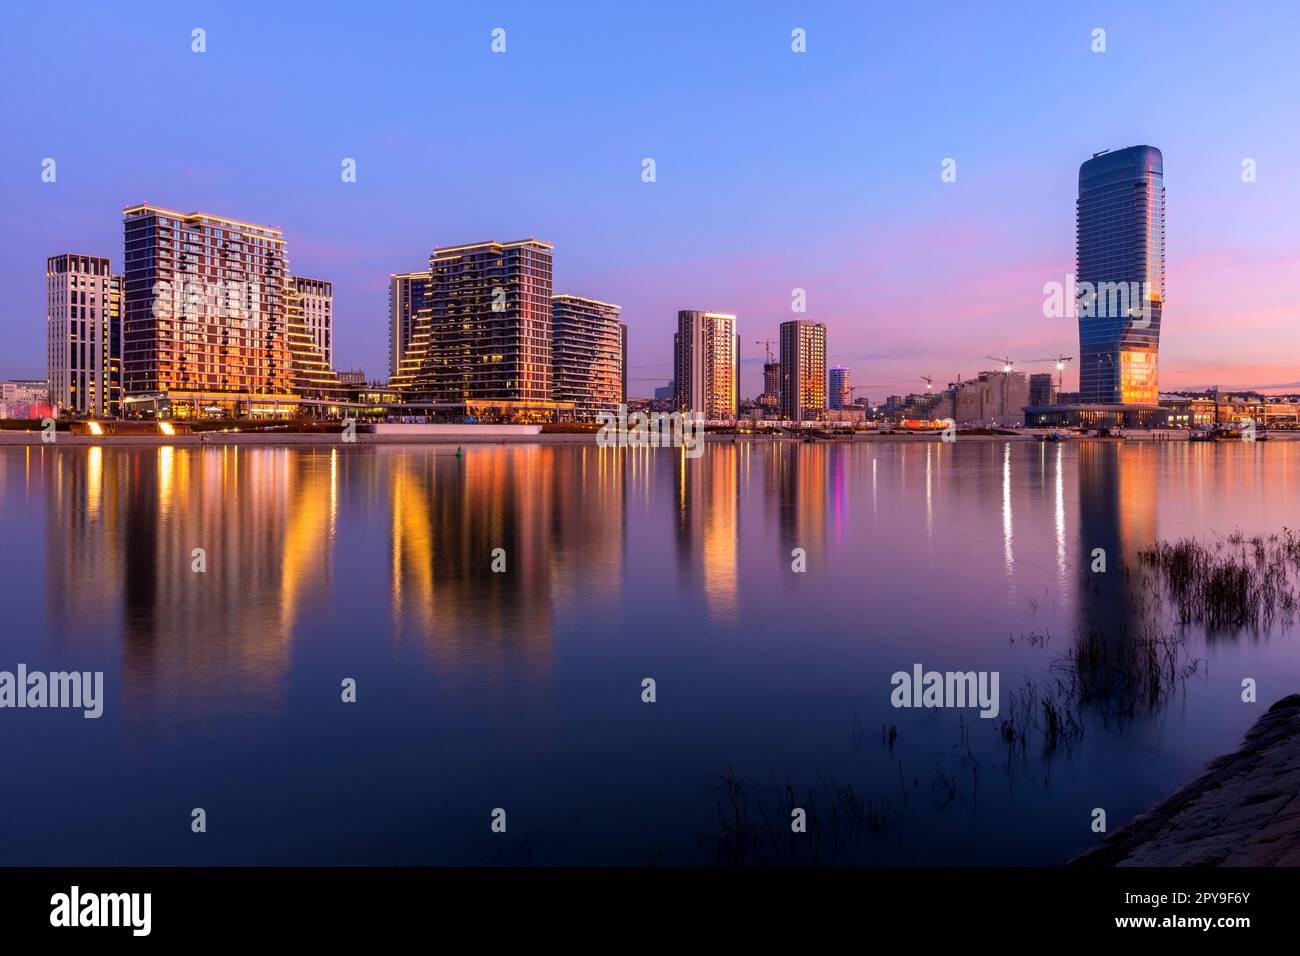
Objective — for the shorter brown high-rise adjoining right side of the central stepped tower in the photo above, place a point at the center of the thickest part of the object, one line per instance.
(587, 354)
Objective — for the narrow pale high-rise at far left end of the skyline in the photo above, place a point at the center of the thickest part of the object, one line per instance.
(84, 336)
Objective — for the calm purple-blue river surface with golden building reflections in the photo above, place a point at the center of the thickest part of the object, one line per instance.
(523, 690)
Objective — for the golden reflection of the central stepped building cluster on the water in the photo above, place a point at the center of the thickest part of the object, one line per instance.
(557, 513)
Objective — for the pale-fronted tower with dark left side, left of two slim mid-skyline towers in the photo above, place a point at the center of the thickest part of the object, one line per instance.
(707, 364)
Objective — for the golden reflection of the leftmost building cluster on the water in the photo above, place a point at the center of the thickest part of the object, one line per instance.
(123, 531)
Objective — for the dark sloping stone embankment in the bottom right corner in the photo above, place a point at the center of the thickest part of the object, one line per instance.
(1245, 811)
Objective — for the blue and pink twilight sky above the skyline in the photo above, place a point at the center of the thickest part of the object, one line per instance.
(775, 171)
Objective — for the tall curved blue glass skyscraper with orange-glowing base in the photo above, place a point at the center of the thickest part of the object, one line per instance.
(1121, 275)
